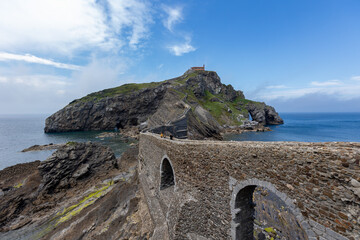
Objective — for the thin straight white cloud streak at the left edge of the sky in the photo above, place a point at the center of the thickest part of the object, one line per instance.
(33, 59)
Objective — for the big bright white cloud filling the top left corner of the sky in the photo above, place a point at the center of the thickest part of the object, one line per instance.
(68, 25)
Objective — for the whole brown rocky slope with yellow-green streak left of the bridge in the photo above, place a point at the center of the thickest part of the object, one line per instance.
(77, 193)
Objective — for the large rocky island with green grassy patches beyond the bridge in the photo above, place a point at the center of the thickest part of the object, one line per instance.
(163, 104)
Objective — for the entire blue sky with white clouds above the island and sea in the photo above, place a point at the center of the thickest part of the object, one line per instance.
(295, 55)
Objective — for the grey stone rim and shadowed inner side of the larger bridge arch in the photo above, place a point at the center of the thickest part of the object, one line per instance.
(242, 208)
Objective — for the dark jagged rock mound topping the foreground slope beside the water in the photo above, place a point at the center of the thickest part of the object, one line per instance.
(72, 162)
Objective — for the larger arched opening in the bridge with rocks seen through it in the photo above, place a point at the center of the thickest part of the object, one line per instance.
(260, 212)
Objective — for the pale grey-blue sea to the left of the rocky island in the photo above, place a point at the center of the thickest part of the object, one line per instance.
(18, 132)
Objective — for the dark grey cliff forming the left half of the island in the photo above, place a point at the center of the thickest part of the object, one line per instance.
(107, 113)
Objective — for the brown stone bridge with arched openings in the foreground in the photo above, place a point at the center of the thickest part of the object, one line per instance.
(204, 189)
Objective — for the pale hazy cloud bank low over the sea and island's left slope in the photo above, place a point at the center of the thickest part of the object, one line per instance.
(25, 91)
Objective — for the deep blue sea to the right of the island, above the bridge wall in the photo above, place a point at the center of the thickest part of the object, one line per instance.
(309, 127)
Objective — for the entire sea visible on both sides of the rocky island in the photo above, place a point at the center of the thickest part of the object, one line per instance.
(18, 132)
